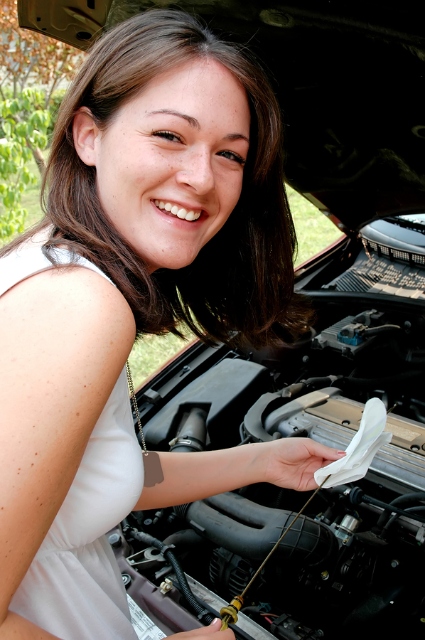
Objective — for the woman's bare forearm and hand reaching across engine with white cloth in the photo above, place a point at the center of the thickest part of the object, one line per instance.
(288, 463)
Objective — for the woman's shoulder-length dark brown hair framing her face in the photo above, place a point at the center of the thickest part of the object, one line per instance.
(240, 287)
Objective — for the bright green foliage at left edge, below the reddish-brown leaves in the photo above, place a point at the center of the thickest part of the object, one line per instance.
(24, 127)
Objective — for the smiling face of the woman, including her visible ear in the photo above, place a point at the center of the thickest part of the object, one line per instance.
(170, 164)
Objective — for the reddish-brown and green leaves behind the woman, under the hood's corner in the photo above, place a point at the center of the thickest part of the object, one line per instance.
(28, 61)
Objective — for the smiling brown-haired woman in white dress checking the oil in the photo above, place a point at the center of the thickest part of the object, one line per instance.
(165, 204)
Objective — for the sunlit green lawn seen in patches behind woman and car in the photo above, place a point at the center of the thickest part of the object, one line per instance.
(314, 231)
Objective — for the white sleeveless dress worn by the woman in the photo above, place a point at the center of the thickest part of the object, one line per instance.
(73, 588)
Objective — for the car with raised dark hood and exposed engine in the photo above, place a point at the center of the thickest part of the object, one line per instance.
(351, 81)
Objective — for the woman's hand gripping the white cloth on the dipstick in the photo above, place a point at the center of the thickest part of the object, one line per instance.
(292, 462)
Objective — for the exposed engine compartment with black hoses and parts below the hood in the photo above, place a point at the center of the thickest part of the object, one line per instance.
(353, 563)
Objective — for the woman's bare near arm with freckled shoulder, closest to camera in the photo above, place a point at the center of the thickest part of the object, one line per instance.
(65, 336)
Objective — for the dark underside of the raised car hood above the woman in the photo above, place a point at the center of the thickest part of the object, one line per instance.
(350, 77)
